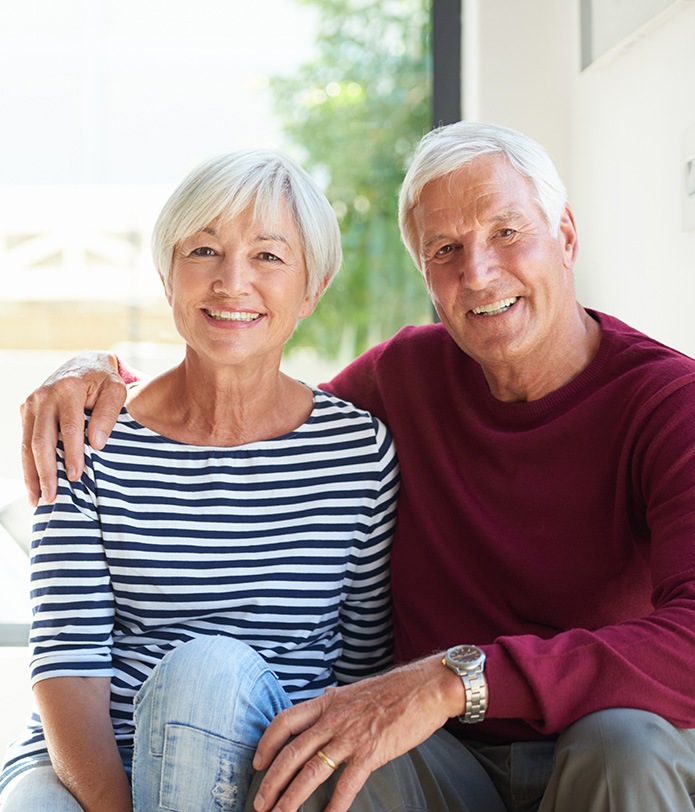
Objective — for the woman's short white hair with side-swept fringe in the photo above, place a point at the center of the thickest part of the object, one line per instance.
(225, 186)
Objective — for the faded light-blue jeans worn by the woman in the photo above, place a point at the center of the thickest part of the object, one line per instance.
(198, 718)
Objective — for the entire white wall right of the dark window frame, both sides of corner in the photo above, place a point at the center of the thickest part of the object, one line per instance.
(614, 131)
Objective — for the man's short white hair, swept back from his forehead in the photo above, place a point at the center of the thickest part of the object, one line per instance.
(448, 148)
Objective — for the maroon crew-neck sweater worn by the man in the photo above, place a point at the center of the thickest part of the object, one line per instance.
(558, 534)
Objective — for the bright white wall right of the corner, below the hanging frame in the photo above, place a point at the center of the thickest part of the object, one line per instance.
(630, 110)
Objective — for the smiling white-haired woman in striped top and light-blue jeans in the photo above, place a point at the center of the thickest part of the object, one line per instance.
(226, 553)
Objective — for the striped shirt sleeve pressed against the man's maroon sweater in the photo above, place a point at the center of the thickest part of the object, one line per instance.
(365, 612)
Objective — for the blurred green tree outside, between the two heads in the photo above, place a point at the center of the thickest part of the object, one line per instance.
(355, 112)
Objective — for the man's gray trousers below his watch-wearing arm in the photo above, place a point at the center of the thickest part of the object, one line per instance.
(617, 760)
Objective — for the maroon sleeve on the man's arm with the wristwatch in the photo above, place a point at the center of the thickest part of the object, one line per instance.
(646, 662)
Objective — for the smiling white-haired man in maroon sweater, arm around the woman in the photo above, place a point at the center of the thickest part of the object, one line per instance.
(545, 545)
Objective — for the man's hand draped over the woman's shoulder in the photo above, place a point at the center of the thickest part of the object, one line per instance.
(91, 381)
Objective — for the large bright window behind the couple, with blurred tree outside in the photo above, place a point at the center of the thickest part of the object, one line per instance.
(107, 105)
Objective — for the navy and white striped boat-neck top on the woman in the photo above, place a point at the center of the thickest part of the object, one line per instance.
(282, 543)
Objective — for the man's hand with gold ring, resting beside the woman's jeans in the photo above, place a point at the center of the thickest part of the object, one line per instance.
(363, 725)
